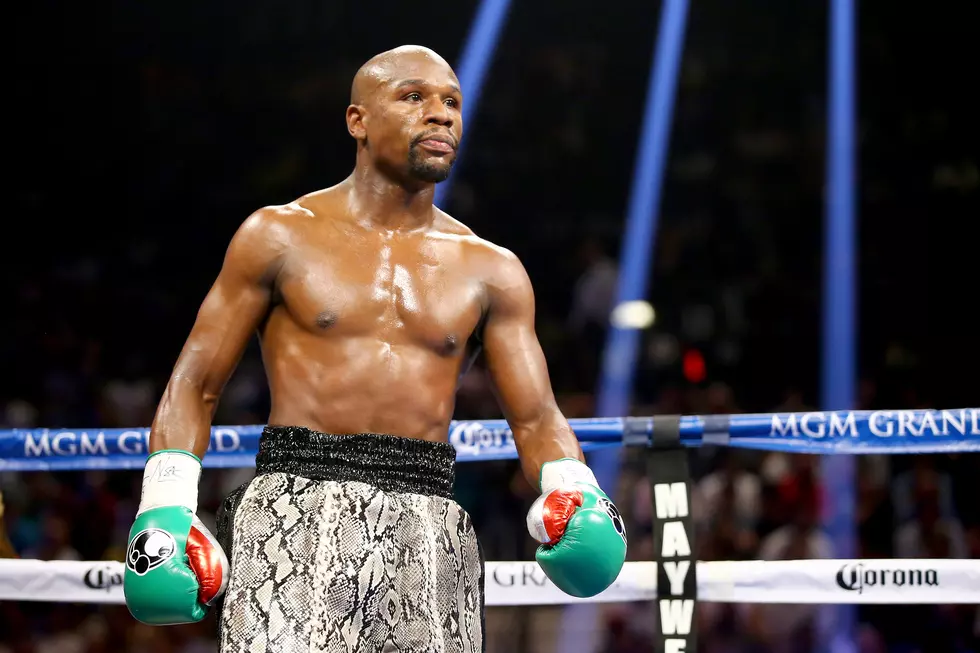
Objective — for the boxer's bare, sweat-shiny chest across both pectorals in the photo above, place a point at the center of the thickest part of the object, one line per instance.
(412, 291)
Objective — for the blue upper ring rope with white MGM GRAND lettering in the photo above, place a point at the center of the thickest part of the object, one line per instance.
(818, 432)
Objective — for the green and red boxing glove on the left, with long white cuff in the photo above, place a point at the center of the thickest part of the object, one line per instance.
(175, 569)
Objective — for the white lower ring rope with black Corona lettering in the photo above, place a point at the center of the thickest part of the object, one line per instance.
(901, 581)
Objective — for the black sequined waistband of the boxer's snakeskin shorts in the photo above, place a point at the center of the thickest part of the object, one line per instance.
(388, 462)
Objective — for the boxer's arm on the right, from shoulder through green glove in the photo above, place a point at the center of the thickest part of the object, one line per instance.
(581, 531)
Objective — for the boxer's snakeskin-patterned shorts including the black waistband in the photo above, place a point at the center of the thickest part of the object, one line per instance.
(350, 543)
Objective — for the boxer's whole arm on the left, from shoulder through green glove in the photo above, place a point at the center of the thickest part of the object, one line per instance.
(175, 568)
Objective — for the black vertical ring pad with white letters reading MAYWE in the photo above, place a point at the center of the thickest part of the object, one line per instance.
(673, 538)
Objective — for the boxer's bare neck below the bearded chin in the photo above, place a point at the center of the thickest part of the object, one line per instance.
(382, 202)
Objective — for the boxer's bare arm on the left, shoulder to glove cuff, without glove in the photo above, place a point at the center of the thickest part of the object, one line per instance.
(227, 318)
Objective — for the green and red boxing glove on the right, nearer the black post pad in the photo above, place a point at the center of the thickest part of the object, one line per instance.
(582, 535)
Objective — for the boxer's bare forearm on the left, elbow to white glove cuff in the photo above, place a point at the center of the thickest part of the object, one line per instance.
(183, 418)
